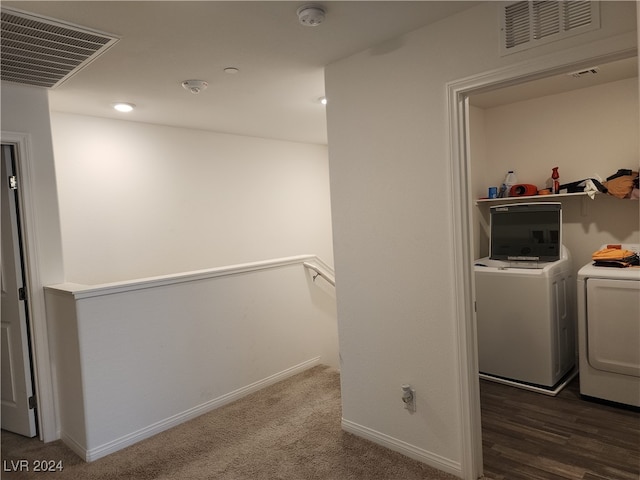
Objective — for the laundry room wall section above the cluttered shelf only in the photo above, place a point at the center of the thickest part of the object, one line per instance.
(586, 132)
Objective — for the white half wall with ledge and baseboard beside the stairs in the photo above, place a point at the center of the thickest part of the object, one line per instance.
(133, 359)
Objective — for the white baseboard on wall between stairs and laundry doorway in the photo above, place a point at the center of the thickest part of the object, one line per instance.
(411, 451)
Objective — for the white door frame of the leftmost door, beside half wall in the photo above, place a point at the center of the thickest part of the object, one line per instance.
(41, 364)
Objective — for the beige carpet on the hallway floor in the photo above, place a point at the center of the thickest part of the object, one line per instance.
(290, 431)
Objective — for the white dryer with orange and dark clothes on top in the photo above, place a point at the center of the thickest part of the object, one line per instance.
(609, 332)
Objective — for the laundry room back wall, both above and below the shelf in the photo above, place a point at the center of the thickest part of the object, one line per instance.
(586, 132)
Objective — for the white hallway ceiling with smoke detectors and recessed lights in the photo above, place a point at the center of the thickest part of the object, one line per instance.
(281, 62)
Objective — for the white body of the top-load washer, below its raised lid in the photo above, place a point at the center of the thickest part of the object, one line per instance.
(526, 323)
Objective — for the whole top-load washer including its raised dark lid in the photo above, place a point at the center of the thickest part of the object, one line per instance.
(525, 297)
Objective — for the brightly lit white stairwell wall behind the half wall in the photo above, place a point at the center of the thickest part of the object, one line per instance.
(139, 200)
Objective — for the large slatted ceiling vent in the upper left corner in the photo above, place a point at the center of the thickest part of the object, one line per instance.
(43, 52)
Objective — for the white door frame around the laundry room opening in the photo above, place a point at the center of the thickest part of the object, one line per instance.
(458, 91)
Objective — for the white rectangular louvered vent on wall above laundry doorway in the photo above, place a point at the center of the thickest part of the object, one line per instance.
(526, 24)
